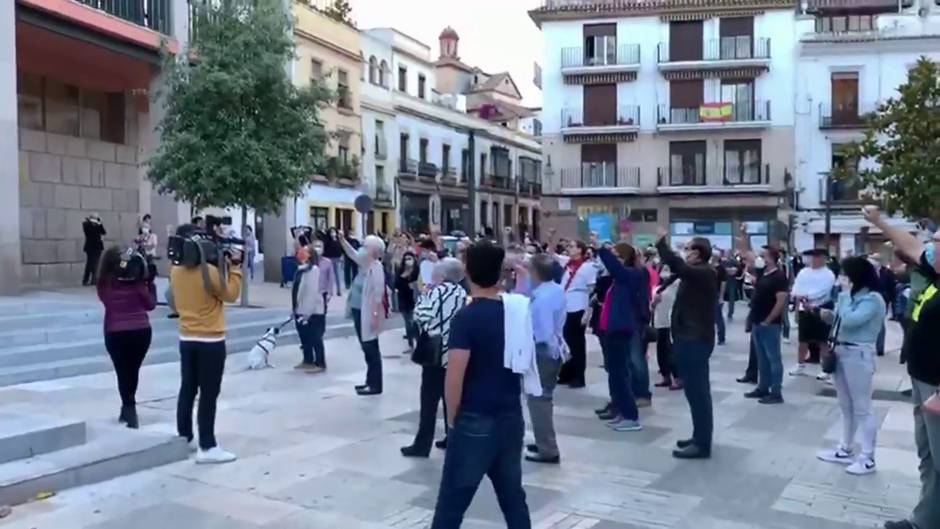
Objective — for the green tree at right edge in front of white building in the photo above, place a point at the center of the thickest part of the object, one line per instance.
(903, 141)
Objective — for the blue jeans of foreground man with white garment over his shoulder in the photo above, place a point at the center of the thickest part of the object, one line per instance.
(483, 445)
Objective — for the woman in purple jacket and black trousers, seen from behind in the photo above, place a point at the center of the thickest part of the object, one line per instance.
(127, 330)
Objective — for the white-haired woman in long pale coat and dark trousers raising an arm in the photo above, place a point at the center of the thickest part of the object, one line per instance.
(368, 307)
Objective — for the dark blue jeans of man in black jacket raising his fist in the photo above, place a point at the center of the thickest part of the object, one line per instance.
(692, 359)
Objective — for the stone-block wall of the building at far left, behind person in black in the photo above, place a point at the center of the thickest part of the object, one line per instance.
(66, 179)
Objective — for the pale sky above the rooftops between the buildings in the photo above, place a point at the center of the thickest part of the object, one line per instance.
(496, 35)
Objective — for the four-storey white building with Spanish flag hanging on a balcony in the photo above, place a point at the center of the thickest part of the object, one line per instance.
(671, 113)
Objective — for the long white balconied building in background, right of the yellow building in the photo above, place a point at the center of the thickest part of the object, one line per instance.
(444, 169)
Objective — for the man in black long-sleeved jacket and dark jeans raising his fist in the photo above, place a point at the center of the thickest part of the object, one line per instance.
(693, 332)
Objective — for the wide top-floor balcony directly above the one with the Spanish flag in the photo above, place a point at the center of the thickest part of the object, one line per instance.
(741, 51)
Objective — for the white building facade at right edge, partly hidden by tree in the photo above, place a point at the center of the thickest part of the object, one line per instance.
(852, 57)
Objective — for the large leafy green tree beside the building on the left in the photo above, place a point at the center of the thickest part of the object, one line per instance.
(236, 131)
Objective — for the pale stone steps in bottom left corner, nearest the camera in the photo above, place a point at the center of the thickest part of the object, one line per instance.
(109, 451)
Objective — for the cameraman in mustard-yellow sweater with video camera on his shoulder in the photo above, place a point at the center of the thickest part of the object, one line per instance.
(206, 274)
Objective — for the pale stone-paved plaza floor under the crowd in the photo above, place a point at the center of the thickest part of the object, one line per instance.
(315, 455)
